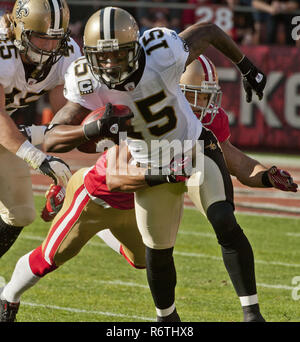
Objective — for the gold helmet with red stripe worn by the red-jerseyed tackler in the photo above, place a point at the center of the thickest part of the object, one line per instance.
(201, 77)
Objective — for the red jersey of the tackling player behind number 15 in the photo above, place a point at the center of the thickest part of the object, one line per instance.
(95, 179)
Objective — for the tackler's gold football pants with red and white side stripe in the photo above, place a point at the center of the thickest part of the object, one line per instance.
(80, 219)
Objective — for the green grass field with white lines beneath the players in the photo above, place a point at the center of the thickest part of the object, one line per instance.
(99, 286)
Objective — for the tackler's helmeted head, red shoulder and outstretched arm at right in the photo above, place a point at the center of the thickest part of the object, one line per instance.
(200, 86)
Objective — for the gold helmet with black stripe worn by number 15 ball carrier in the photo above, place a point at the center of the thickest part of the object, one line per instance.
(111, 46)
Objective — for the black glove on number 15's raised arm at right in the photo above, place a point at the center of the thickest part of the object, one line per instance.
(253, 79)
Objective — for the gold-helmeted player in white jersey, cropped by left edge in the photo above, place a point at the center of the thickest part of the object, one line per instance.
(35, 53)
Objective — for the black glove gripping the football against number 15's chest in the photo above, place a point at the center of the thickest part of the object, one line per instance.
(109, 126)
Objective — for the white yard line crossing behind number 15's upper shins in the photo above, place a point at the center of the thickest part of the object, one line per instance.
(187, 254)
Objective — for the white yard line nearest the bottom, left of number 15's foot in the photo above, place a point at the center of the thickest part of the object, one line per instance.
(103, 313)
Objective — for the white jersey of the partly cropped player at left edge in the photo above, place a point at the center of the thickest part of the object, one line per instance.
(19, 92)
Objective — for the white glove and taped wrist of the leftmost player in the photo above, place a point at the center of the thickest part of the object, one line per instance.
(47, 165)
